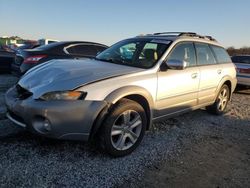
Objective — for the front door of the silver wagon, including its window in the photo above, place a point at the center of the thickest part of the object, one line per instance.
(178, 89)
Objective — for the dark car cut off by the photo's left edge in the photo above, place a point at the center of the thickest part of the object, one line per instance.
(7, 57)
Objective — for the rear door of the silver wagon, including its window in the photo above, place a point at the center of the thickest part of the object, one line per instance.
(211, 73)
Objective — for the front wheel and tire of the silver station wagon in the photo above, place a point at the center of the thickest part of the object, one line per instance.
(123, 129)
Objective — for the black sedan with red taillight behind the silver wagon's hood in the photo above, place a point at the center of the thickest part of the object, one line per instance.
(27, 59)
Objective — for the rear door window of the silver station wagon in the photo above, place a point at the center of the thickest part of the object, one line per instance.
(204, 54)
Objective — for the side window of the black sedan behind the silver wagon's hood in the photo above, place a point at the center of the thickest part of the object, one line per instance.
(82, 50)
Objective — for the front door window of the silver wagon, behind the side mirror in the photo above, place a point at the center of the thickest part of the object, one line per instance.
(184, 52)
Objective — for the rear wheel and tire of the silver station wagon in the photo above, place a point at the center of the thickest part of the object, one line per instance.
(220, 104)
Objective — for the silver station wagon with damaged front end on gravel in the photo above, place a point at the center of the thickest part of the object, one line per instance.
(116, 97)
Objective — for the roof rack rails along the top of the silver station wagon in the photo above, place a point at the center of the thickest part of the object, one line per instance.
(179, 34)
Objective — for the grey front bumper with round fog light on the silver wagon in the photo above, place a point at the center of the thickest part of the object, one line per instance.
(70, 120)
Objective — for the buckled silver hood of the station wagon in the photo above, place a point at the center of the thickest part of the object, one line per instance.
(61, 75)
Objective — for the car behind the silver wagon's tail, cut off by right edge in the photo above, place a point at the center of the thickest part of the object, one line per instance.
(242, 63)
